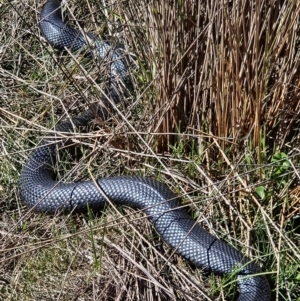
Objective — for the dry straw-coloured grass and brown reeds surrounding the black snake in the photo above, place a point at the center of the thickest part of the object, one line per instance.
(216, 93)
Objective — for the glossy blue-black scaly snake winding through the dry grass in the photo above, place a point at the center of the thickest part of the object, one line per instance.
(40, 191)
